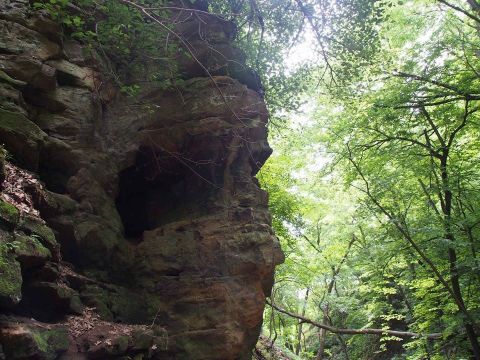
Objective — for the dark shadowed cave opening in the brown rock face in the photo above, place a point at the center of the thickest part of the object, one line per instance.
(159, 189)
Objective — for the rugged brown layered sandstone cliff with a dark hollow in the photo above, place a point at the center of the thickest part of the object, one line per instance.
(156, 215)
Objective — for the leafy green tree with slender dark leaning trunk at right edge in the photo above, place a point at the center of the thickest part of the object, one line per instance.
(415, 128)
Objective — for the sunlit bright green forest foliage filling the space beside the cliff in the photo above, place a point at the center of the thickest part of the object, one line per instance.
(374, 187)
